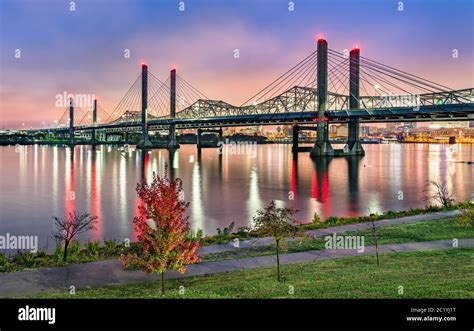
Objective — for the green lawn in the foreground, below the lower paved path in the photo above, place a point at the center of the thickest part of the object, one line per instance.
(432, 274)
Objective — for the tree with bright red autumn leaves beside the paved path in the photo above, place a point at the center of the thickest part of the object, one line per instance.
(164, 234)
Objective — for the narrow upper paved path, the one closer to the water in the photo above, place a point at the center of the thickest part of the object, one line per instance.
(257, 242)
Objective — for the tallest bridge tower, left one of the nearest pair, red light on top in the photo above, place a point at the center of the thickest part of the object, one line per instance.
(322, 147)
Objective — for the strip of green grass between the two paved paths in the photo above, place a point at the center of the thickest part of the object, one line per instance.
(447, 228)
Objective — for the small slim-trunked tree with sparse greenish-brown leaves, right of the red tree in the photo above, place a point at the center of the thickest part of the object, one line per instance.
(275, 222)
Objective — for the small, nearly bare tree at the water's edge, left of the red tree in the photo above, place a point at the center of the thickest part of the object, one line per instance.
(70, 227)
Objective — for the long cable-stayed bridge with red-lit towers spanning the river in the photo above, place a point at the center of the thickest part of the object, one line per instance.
(325, 87)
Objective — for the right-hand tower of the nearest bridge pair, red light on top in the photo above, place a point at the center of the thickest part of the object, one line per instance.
(354, 146)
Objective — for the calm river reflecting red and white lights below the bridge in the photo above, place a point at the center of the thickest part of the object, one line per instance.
(39, 182)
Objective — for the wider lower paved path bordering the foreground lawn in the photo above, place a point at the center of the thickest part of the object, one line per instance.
(110, 272)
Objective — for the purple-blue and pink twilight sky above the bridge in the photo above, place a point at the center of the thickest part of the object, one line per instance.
(82, 51)
